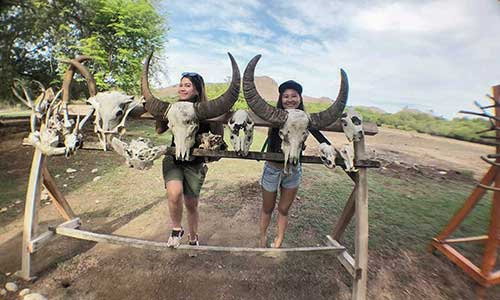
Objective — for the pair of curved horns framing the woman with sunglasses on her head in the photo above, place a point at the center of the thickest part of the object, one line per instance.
(204, 110)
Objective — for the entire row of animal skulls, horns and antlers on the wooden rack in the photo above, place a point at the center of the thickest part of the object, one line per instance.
(112, 108)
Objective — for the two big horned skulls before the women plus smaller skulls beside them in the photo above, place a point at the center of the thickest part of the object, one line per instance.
(183, 117)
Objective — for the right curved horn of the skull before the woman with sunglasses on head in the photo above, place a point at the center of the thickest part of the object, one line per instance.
(222, 104)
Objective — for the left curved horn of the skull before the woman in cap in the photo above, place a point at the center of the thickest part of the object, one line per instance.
(257, 104)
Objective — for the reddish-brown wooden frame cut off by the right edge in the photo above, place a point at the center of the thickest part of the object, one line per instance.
(485, 275)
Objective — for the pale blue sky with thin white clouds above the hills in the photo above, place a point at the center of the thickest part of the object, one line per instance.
(435, 56)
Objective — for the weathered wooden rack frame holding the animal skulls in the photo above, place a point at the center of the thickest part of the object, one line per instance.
(357, 206)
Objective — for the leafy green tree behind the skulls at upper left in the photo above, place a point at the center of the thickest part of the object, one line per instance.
(37, 34)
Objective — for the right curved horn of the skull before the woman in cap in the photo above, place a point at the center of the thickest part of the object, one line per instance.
(322, 119)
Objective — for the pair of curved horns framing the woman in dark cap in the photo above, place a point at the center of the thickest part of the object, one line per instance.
(277, 116)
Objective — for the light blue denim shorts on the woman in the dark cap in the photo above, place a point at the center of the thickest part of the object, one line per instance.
(274, 177)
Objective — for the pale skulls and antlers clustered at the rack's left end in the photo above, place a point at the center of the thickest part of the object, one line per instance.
(52, 130)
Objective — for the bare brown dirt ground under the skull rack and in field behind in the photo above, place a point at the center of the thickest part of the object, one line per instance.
(72, 269)
